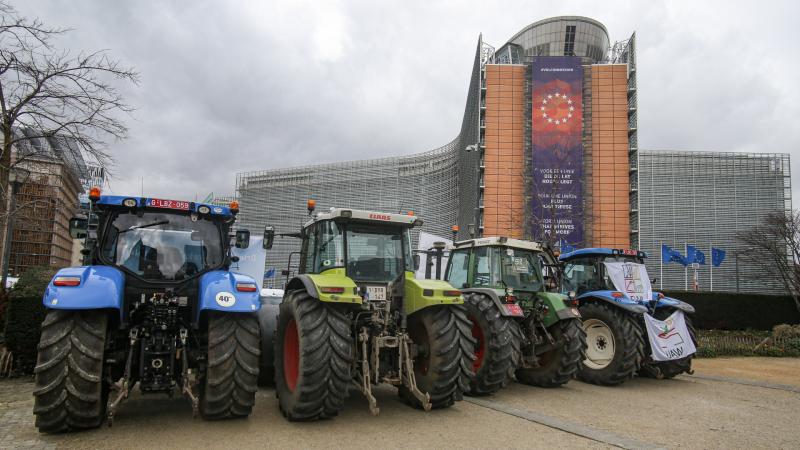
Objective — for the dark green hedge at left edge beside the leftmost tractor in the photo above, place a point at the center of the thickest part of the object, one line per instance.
(24, 317)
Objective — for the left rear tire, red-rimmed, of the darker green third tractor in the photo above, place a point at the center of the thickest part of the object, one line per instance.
(493, 351)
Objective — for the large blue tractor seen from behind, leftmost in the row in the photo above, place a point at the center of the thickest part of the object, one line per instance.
(155, 305)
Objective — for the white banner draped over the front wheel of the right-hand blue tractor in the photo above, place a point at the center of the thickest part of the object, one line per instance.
(670, 338)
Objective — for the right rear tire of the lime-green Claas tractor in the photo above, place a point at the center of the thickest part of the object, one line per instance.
(443, 364)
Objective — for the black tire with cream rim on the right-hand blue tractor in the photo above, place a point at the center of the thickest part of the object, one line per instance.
(621, 343)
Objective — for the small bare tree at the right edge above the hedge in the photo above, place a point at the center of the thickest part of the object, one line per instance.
(774, 247)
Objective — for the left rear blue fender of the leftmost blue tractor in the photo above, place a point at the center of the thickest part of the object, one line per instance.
(101, 287)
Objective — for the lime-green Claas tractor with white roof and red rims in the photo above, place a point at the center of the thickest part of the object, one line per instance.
(356, 314)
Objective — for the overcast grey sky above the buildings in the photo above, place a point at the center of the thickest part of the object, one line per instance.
(234, 86)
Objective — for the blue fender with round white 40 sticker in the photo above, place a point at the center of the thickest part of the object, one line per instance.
(218, 293)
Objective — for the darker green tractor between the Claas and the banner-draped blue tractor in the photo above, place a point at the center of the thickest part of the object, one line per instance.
(518, 326)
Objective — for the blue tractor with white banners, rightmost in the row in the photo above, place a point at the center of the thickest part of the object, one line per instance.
(615, 300)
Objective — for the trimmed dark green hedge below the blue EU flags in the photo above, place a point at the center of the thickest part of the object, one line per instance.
(737, 311)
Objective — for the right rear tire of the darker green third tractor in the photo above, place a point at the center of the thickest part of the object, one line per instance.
(561, 364)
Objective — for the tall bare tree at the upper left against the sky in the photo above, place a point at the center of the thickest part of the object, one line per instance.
(46, 92)
